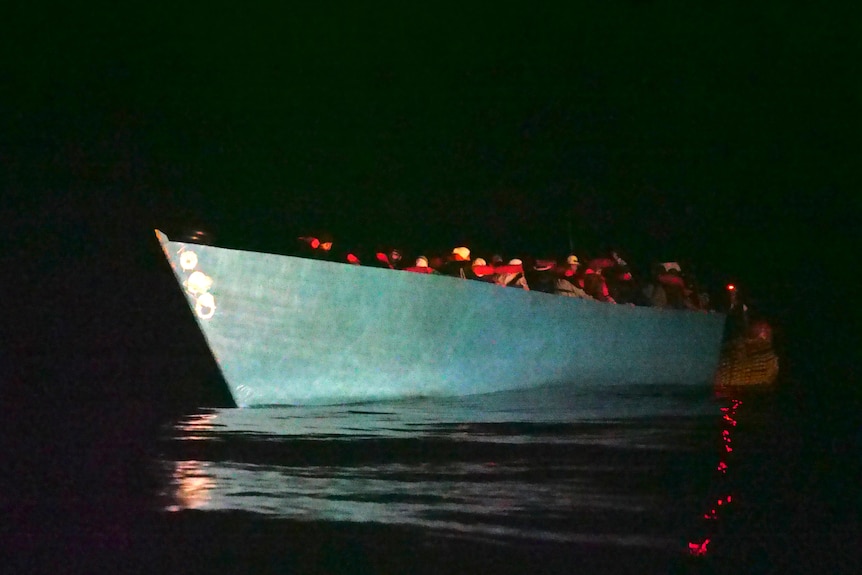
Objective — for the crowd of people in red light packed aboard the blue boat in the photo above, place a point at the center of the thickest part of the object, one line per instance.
(607, 278)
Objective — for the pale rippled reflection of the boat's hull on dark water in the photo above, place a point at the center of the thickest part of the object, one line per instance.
(546, 464)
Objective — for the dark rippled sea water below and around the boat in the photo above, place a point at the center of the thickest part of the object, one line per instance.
(631, 480)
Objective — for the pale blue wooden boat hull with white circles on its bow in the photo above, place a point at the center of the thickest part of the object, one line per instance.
(288, 330)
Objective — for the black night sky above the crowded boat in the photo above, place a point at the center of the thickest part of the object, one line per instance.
(723, 134)
